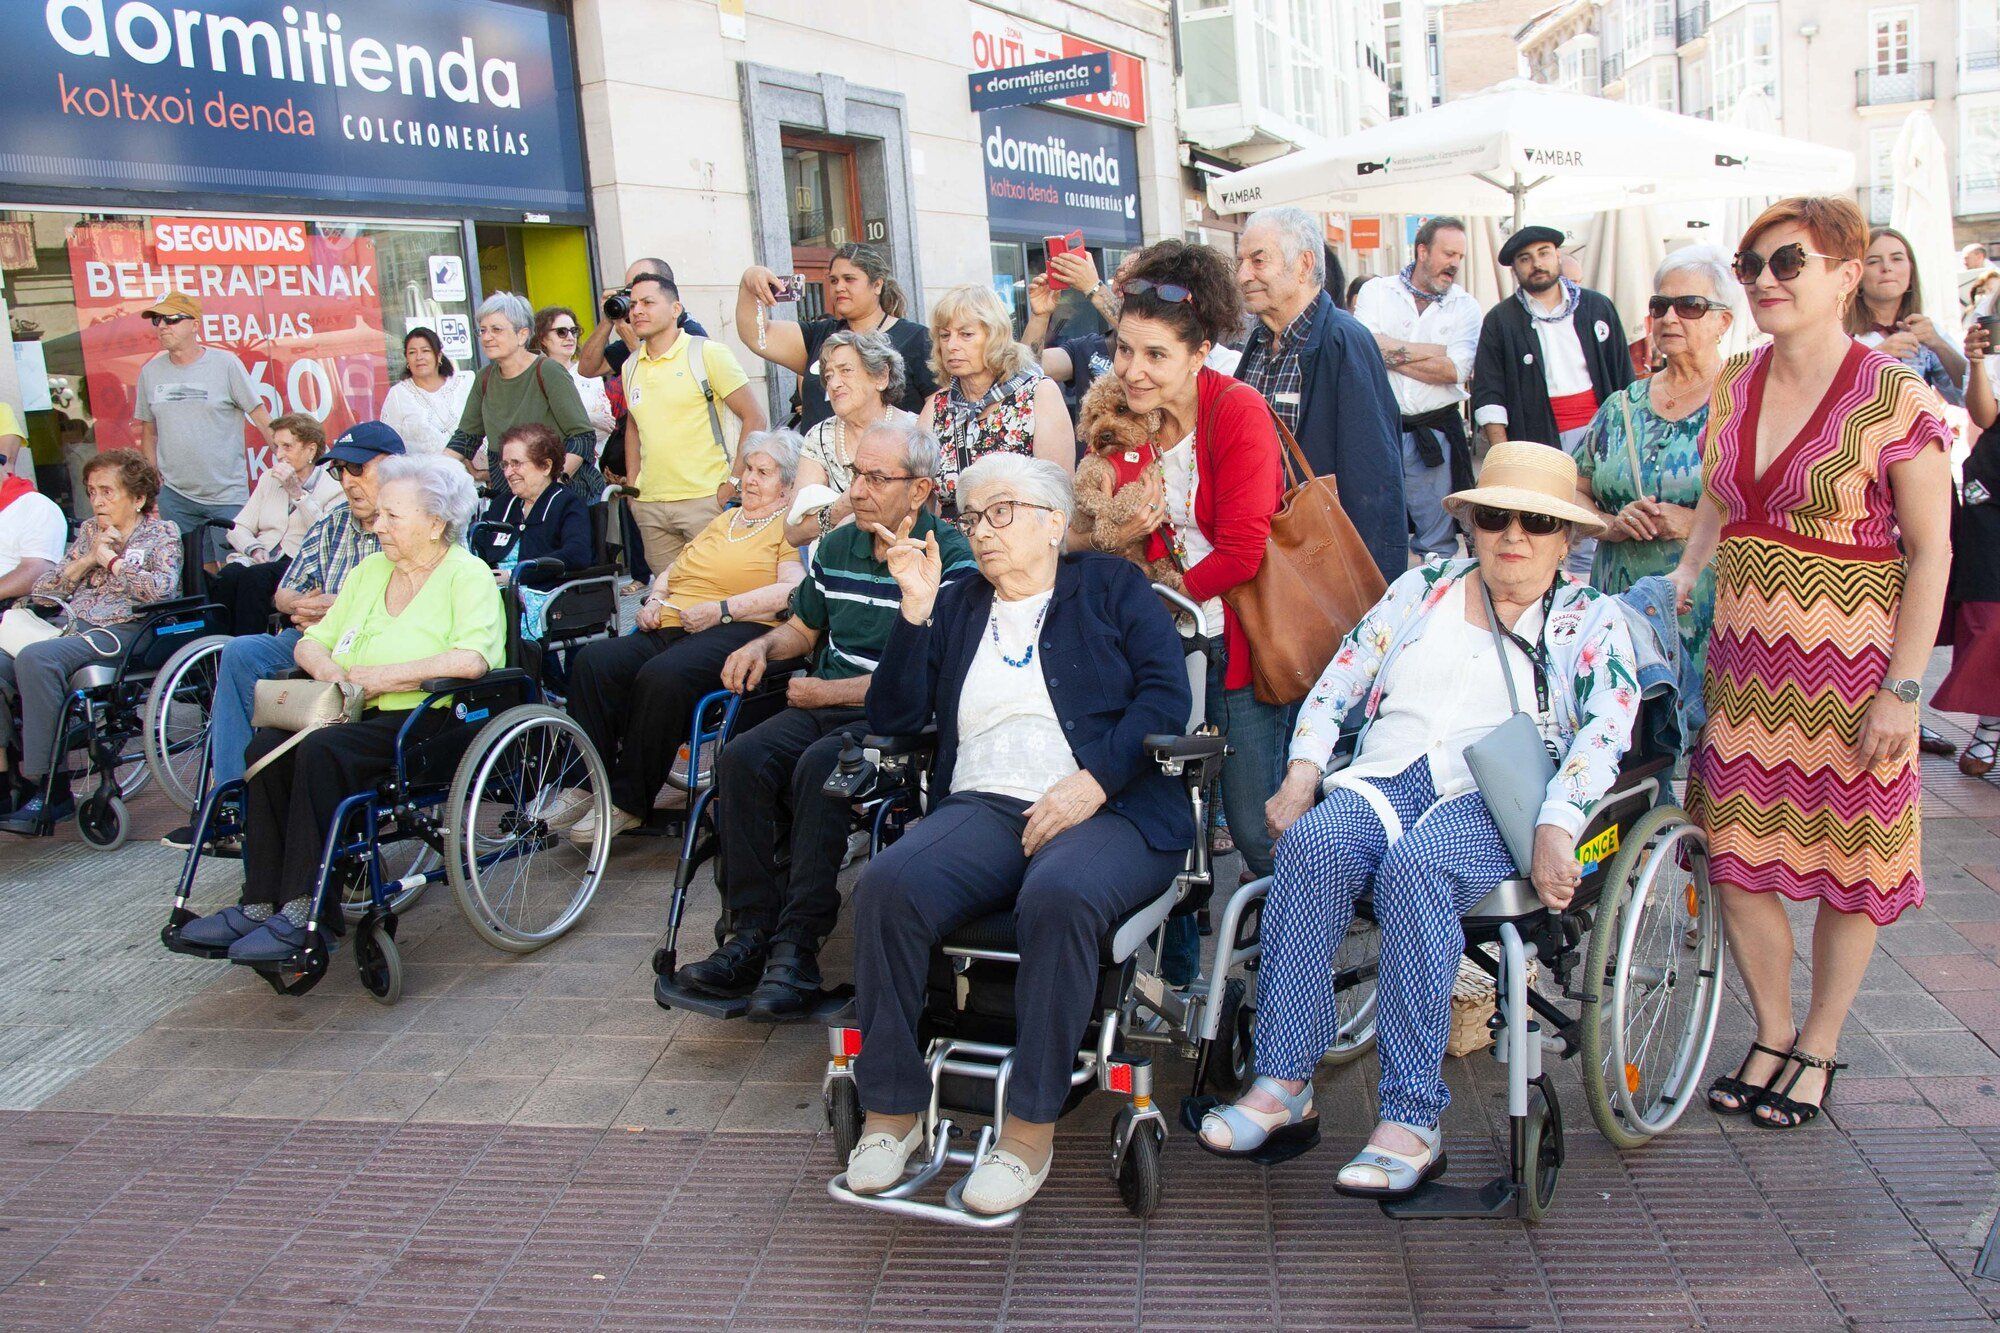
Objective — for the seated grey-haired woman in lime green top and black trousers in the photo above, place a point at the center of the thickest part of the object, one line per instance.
(421, 611)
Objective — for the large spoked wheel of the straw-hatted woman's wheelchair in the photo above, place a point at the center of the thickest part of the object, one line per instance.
(1653, 1000)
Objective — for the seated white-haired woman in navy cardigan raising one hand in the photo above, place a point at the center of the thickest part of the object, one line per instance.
(1045, 678)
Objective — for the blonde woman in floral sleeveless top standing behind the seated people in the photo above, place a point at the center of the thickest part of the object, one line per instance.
(995, 395)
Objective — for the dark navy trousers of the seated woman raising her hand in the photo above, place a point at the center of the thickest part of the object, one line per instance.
(957, 866)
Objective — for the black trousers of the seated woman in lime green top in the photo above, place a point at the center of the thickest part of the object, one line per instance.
(291, 804)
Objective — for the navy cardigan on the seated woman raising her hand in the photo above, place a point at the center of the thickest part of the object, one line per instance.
(1113, 665)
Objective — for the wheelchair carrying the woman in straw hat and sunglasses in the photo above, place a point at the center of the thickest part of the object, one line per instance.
(1639, 952)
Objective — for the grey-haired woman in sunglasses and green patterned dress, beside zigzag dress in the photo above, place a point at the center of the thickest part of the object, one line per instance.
(1641, 461)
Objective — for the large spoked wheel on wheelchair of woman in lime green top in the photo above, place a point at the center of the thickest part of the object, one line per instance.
(519, 880)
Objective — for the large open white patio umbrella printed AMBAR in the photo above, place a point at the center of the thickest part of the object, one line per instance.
(1519, 143)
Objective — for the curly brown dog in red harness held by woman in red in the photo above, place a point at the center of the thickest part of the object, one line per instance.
(1119, 481)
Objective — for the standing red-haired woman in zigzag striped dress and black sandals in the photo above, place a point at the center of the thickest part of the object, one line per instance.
(1825, 509)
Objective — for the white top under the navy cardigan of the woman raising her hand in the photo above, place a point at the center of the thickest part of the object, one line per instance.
(1009, 738)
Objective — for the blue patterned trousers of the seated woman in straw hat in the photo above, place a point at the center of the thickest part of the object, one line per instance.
(1447, 858)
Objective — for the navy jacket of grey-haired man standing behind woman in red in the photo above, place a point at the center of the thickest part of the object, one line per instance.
(1349, 427)
